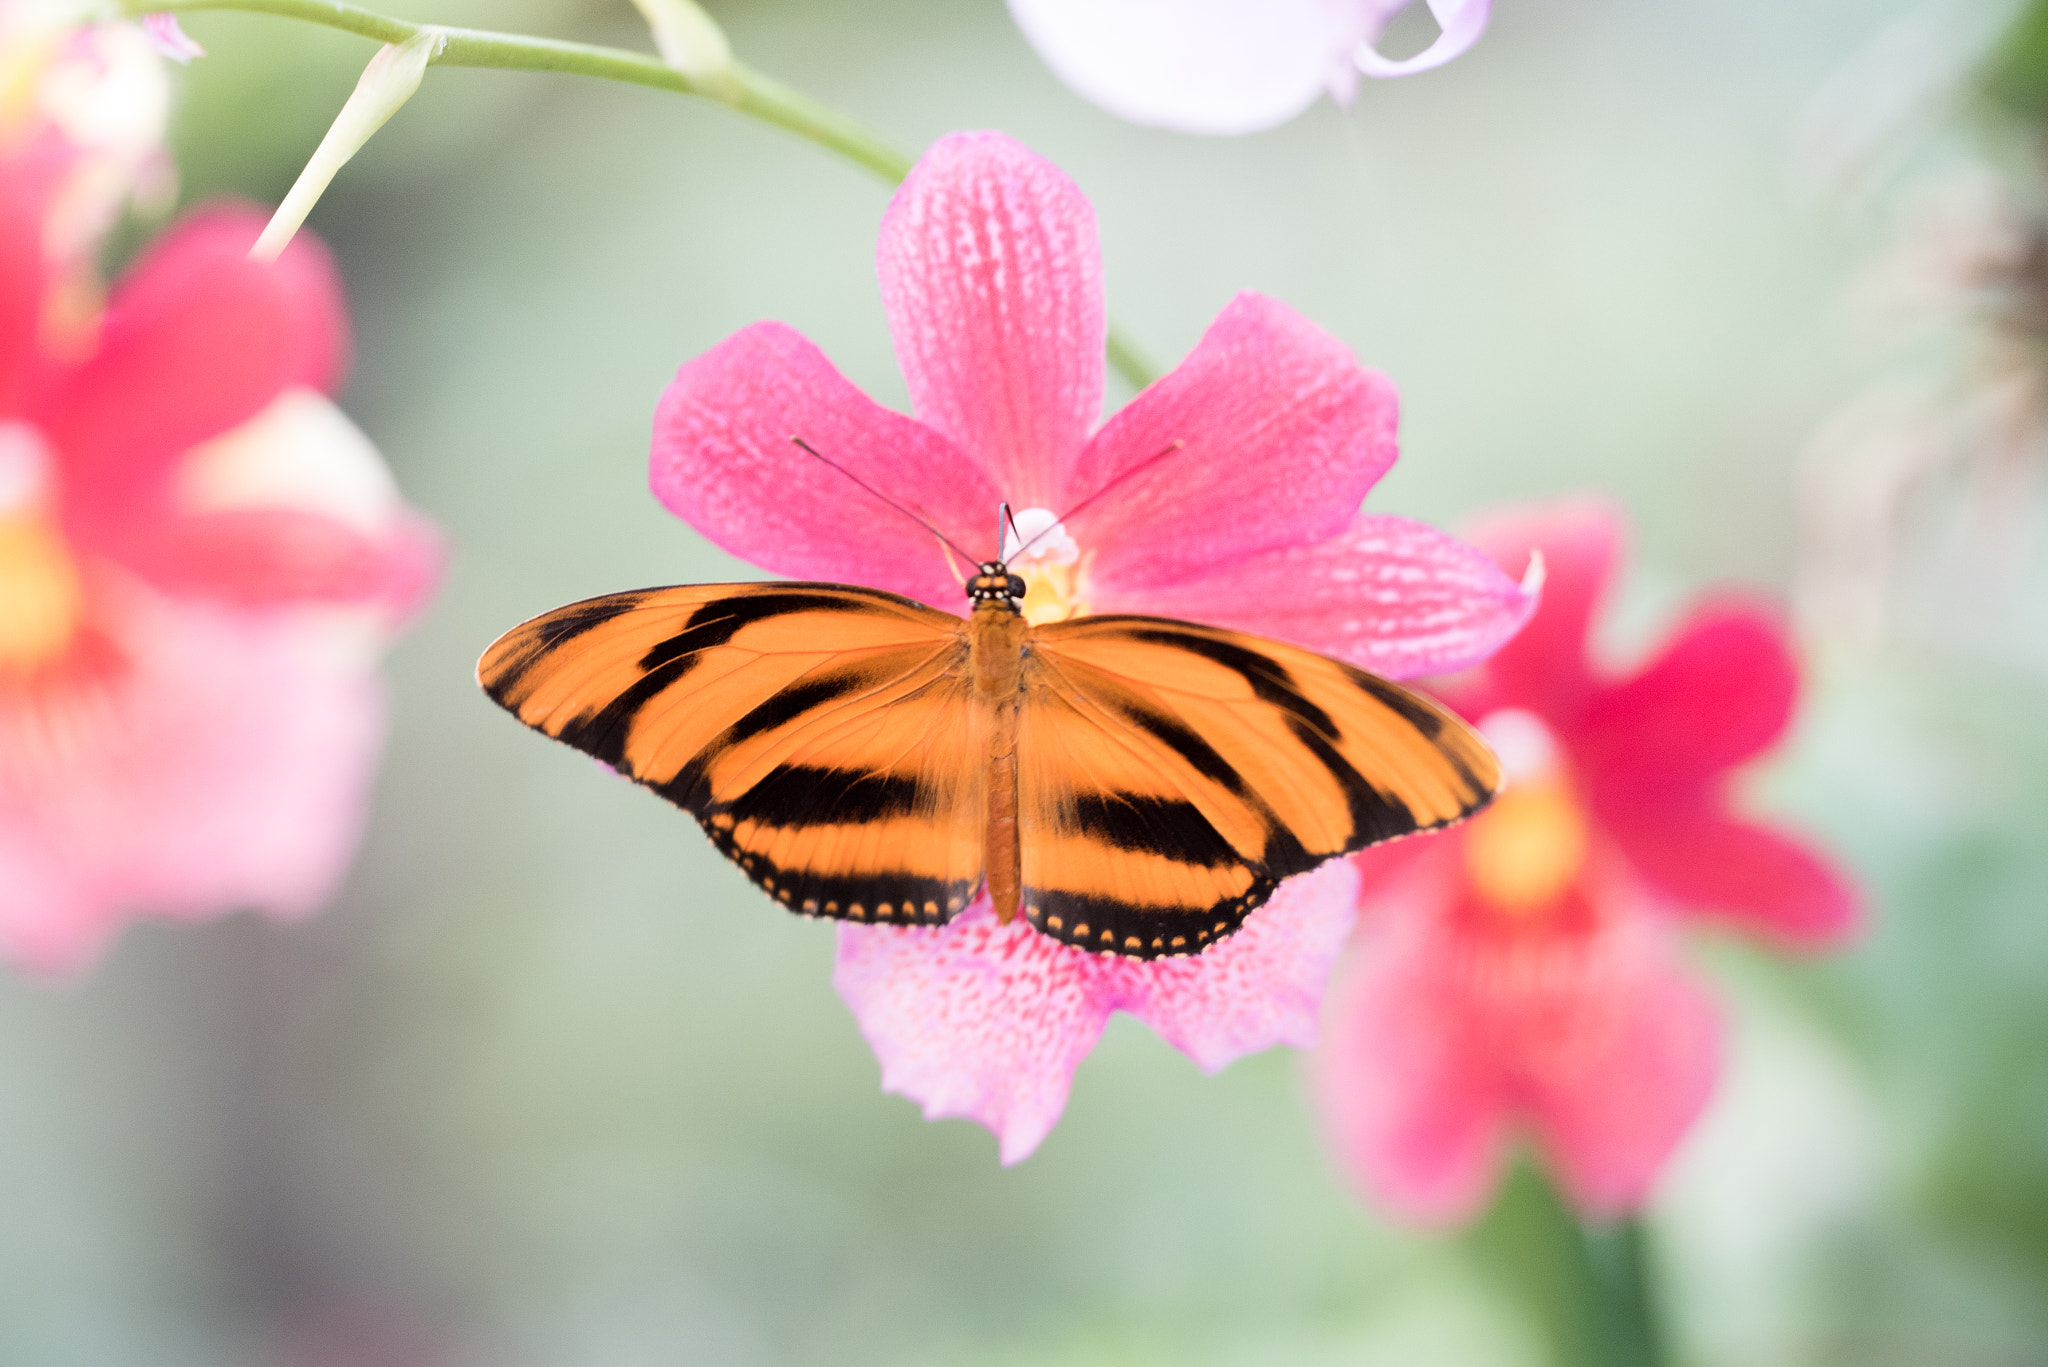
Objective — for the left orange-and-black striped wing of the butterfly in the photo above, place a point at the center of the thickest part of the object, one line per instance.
(822, 735)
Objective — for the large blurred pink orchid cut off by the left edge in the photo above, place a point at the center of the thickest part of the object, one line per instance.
(200, 561)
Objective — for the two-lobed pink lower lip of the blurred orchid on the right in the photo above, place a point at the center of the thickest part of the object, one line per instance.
(1457, 1028)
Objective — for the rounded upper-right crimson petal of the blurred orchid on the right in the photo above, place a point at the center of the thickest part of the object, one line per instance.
(1719, 694)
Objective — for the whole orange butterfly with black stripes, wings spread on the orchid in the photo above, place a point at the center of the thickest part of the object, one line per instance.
(1127, 784)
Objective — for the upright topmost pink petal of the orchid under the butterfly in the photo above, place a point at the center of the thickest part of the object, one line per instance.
(992, 280)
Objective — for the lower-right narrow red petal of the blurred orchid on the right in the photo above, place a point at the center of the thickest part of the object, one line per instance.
(1715, 864)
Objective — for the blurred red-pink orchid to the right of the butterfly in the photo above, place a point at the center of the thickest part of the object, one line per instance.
(1523, 975)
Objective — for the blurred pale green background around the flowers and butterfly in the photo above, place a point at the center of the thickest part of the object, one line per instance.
(552, 1087)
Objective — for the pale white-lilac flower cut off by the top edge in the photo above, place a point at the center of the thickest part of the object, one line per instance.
(1230, 67)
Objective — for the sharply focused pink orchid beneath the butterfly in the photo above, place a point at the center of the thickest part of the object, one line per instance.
(994, 294)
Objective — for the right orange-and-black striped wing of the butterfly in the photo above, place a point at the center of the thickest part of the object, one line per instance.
(1170, 776)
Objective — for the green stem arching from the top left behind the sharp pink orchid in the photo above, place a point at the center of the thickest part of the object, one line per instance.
(744, 89)
